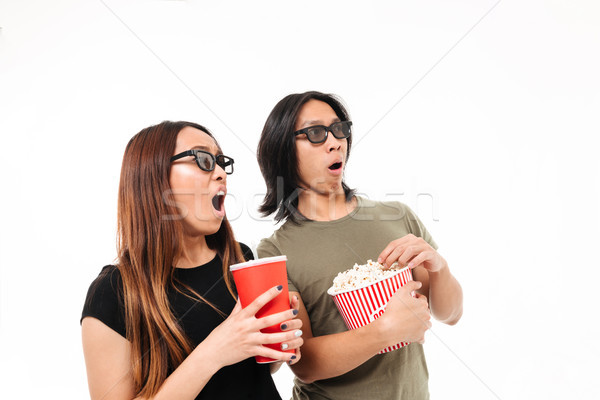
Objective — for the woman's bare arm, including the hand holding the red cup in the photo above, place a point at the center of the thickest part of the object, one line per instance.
(237, 338)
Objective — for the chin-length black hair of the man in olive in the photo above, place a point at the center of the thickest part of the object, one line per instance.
(277, 154)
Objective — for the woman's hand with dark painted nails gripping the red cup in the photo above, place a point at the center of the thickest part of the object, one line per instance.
(239, 336)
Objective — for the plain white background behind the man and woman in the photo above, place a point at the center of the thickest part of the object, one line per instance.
(478, 114)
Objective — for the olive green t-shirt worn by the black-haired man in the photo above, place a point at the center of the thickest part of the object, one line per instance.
(316, 251)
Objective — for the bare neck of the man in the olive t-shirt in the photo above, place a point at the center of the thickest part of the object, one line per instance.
(324, 206)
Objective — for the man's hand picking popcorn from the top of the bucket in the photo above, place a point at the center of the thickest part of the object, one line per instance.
(411, 251)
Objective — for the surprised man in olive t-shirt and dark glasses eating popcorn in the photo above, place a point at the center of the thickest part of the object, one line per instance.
(302, 153)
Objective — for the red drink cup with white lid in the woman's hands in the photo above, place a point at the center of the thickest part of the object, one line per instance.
(255, 277)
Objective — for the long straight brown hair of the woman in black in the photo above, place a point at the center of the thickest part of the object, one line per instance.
(149, 243)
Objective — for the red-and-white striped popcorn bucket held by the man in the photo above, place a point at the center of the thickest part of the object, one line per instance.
(364, 305)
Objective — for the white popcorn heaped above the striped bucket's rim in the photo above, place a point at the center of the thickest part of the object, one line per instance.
(362, 275)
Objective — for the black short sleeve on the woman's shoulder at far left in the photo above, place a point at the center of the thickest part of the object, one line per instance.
(104, 300)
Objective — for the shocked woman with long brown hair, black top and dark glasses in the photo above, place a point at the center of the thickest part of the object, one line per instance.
(163, 321)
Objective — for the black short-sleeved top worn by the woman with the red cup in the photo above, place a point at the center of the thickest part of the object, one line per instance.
(244, 380)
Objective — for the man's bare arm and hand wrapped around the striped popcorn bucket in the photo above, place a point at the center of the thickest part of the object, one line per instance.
(405, 319)
